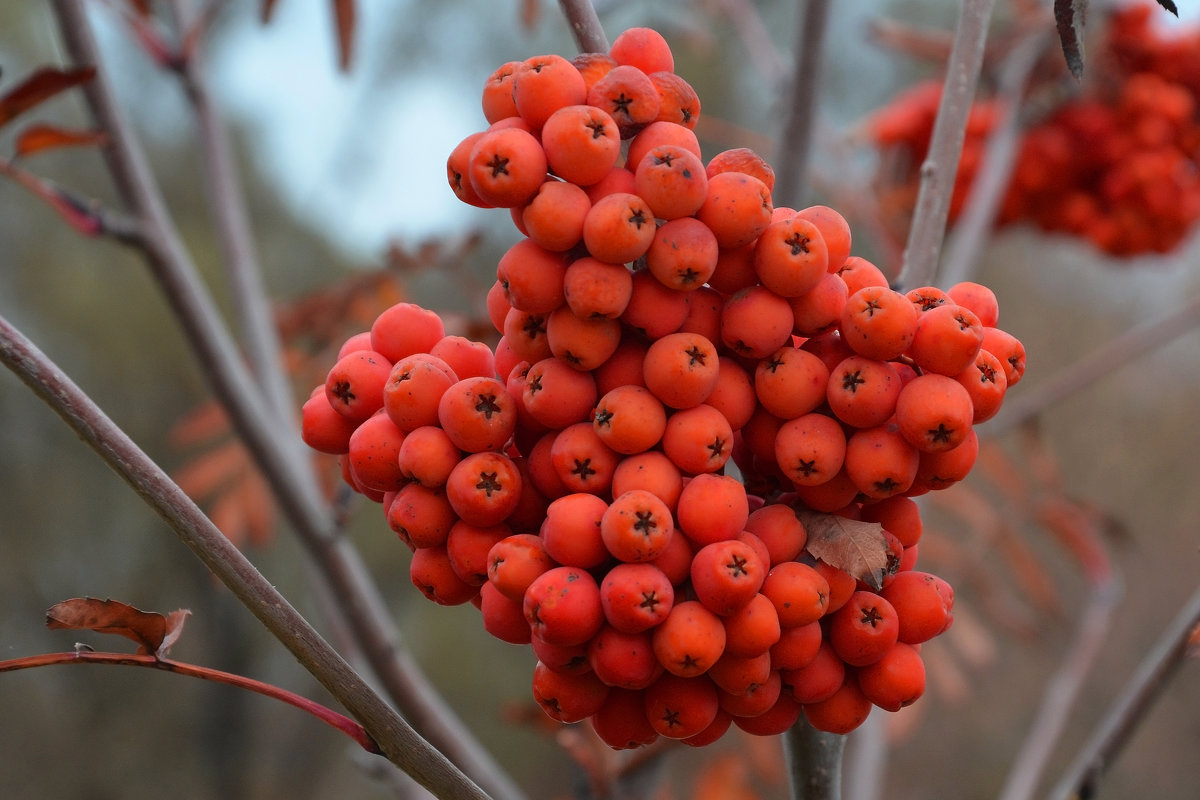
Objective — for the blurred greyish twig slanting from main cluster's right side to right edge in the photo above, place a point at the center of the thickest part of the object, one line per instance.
(1097, 365)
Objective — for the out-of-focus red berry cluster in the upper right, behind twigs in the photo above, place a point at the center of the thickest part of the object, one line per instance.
(1115, 165)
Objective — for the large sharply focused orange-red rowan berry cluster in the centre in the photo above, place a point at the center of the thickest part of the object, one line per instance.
(663, 329)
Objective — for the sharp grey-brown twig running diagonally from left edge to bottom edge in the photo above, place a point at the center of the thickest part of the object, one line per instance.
(398, 741)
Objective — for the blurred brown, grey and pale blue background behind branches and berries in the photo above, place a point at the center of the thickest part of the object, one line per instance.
(347, 194)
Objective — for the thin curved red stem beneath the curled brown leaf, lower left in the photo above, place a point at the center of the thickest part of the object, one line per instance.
(327, 715)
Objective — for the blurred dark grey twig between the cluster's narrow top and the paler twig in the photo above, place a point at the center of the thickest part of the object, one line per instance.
(796, 139)
